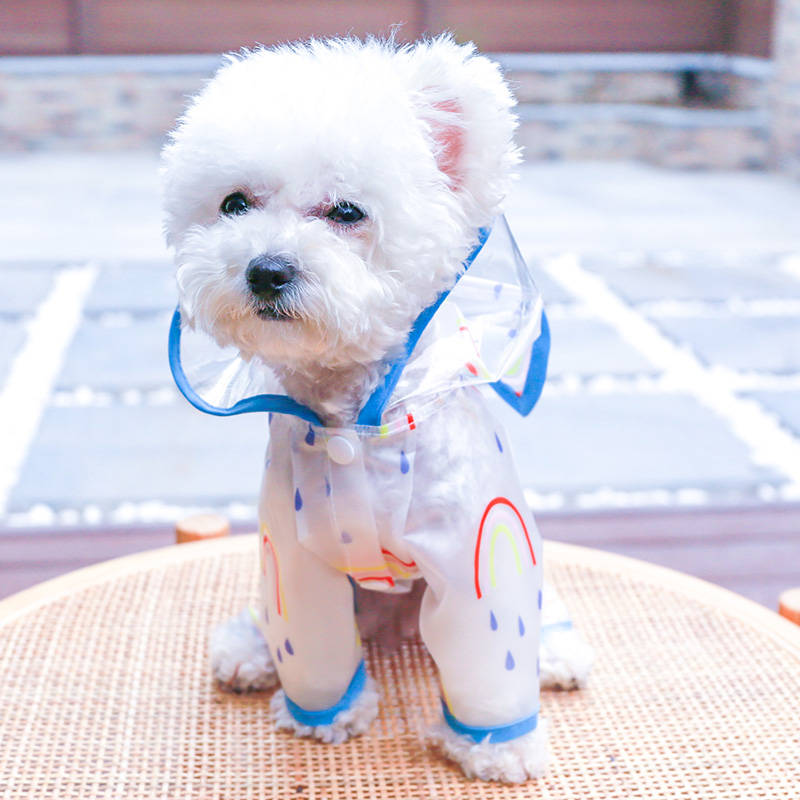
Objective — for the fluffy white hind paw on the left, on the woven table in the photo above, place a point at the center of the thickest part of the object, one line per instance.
(240, 659)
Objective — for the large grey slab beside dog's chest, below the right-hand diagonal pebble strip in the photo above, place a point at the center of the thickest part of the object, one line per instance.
(583, 443)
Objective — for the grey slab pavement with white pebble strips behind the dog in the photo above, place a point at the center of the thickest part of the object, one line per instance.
(674, 300)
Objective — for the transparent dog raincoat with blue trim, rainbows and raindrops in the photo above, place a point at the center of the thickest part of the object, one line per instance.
(423, 485)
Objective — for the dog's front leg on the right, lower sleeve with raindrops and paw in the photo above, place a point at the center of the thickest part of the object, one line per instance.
(485, 643)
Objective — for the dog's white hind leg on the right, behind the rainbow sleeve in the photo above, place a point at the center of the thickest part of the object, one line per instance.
(565, 657)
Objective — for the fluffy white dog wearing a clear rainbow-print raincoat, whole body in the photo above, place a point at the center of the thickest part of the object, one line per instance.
(323, 200)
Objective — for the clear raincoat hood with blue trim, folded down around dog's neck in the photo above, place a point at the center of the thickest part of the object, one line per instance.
(488, 329)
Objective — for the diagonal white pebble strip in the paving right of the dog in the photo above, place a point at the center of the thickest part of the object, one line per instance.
(770, 444)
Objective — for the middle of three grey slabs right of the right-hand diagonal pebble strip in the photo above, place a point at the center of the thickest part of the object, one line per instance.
(767, 344)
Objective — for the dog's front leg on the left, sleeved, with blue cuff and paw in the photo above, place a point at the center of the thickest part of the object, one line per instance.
(310, 627)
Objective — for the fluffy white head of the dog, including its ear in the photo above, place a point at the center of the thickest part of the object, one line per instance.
(319, 196)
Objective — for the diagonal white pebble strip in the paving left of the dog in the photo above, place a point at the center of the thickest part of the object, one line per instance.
(34, 370)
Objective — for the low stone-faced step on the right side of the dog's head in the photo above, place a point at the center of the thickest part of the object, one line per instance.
(694, 110)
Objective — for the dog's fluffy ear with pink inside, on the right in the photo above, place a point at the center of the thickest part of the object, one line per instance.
(466, 108)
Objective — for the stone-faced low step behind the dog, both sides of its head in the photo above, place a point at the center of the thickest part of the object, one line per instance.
(685, 110)
